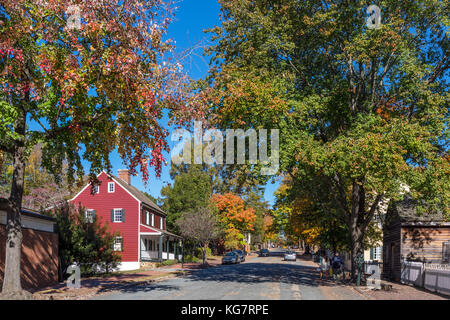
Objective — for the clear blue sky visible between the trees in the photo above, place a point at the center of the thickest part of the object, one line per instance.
(192, 17)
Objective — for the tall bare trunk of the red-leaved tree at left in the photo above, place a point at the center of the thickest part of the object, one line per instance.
(11, 280)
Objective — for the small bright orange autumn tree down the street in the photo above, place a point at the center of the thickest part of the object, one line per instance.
(235, 218)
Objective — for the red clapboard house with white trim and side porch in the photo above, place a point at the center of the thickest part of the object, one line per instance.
(141, 223)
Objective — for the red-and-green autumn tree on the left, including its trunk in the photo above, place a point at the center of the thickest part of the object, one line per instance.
(82, 88)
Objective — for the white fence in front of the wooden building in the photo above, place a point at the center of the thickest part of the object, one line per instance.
(433, 277)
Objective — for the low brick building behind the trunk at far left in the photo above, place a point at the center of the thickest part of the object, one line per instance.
(39, 259)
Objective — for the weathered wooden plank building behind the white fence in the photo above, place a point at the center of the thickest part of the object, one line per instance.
(412, 237)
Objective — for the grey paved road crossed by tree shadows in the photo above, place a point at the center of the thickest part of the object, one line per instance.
(259, 278)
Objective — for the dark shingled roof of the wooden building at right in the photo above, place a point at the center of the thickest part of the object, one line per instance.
(407, 212)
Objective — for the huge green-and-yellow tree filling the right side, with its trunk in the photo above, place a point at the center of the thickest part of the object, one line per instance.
(360, 110)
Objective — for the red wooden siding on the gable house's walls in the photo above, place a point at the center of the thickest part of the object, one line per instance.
(104, 202)
